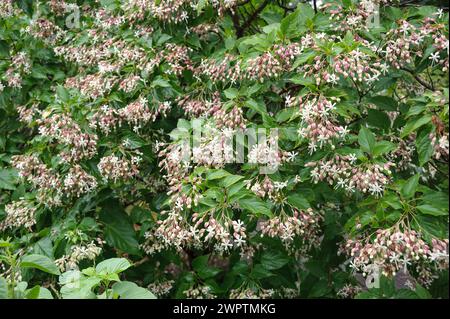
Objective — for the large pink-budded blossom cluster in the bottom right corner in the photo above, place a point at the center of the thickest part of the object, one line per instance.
(393, 250)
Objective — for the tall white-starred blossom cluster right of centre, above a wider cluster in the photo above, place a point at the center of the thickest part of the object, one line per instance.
(318, 123)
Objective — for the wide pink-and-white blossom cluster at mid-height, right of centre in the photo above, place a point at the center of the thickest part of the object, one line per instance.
(342, 172)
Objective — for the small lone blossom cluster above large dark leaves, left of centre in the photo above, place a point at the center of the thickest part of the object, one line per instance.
(116, 169)
